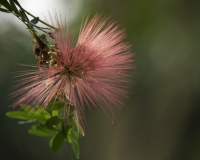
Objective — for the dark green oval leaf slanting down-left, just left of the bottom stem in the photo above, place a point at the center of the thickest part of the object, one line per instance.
(57, 141)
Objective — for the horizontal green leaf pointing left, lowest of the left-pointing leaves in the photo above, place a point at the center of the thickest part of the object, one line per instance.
(42, 131)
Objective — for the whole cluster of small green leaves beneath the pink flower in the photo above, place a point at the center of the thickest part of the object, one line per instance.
(61, 127)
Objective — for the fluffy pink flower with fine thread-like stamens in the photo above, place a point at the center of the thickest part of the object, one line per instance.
(95, 72)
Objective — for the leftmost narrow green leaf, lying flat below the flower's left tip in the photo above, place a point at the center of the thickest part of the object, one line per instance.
(19, 115)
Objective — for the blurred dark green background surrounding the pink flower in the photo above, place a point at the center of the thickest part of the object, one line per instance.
(161, 119)
